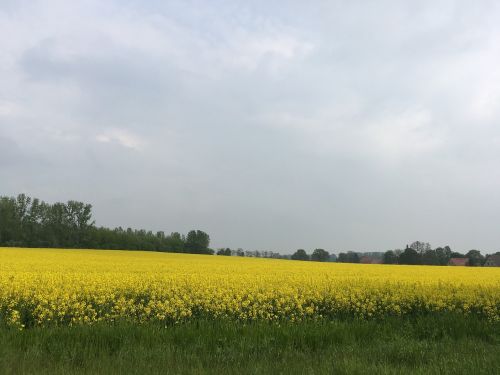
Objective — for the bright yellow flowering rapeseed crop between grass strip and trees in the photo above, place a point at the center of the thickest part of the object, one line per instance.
(51, 286)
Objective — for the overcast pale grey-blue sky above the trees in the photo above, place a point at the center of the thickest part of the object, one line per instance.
(271, 125)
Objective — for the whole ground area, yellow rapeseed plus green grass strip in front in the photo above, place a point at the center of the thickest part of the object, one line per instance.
(97, 311)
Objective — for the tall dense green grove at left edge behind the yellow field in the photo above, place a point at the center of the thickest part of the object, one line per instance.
(30, 222)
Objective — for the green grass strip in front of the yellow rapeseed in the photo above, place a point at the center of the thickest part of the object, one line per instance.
(426, 345)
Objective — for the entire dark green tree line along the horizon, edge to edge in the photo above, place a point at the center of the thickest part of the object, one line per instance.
(30, 222)
